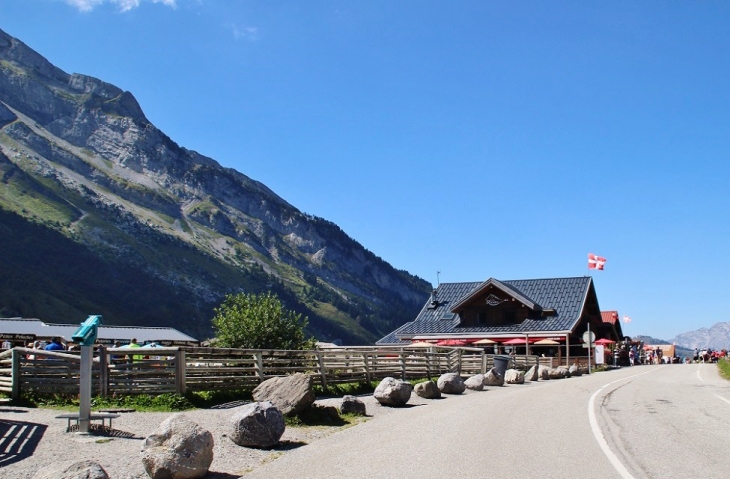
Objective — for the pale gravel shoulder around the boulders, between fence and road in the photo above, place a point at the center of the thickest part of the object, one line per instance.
(34, 438)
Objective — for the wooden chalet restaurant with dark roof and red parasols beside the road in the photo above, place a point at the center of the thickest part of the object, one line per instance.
(535, 316)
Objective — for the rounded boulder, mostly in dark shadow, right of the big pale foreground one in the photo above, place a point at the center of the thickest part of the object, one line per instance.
(258, 424)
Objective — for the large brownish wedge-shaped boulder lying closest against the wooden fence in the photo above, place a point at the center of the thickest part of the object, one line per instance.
(290, 394)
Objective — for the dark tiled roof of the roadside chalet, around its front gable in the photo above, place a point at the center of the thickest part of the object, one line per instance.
(565, 295)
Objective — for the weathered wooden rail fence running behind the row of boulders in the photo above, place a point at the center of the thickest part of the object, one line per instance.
(186, 369)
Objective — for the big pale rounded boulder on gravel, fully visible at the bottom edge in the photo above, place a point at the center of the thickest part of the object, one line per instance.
(179, 449)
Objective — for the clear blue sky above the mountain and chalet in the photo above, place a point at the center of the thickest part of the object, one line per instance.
(479, 139)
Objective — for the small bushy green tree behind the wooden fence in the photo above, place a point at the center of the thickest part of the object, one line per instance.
(251, 321)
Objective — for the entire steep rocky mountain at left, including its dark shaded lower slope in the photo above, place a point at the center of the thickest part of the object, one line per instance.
(102, 213)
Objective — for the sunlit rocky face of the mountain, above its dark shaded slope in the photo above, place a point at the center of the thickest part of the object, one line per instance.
(79, 156)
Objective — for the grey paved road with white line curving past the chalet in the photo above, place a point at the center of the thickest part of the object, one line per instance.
(646, 421)
